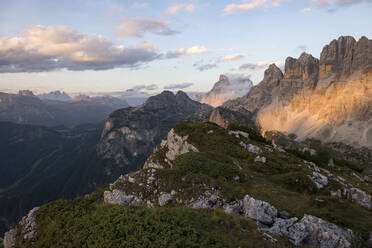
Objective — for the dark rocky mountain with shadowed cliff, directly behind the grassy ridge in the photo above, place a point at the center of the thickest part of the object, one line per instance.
(131, 134)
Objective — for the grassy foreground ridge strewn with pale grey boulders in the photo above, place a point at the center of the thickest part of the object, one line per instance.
(205, 186)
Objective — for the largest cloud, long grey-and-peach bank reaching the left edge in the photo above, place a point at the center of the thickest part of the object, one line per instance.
(49, 48)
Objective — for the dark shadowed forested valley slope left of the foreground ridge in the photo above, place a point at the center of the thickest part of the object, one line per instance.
(40, 164)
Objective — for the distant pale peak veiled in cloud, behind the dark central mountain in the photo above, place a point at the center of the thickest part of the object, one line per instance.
(225, 89)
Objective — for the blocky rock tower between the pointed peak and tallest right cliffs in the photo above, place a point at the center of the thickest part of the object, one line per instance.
(305, 67)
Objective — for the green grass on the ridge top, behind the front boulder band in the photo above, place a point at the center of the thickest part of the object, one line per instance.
(281, 181)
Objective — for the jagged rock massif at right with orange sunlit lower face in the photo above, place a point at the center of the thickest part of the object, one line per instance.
(328, 99)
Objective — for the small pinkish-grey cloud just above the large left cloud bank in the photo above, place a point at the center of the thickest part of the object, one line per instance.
(136, 27)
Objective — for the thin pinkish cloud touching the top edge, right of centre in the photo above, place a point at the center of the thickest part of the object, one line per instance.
(250, 5)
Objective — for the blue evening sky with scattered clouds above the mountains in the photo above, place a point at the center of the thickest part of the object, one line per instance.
(115, 45)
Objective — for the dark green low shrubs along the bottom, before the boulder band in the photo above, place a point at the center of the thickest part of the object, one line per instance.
(87, 222)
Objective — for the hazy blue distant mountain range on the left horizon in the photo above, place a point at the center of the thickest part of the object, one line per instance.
(25, 108)
